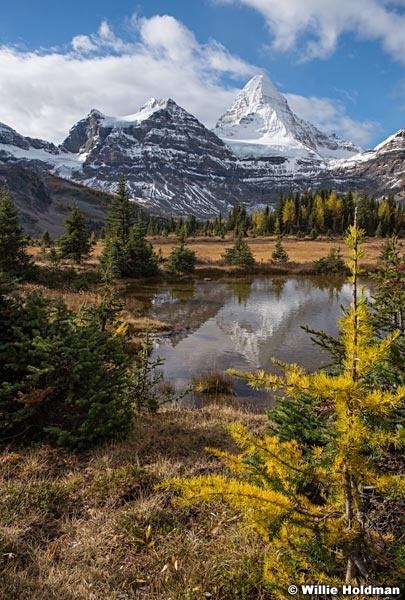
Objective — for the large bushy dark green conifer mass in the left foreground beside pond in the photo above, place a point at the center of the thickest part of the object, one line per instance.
(62, 378)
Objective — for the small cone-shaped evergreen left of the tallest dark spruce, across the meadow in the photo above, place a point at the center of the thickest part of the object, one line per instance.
(75, 243)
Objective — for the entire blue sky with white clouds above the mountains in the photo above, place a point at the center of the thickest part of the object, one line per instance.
(340, 63)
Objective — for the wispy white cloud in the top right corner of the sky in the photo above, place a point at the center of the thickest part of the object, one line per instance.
(314, 27)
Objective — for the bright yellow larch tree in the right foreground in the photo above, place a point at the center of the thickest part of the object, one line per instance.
(313, 504)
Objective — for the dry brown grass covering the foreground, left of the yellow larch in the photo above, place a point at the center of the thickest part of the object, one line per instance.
(94, 527)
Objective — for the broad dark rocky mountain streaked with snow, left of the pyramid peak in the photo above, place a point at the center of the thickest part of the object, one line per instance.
(167, 156)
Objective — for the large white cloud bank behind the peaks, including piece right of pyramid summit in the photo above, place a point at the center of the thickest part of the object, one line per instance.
(44, 94)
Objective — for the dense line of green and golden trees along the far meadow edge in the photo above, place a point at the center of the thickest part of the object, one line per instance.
(303, 214)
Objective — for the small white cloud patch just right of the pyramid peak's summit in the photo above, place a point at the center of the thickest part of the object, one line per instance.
(330, 116)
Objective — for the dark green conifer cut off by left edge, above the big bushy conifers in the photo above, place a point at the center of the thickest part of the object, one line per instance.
(13, 257)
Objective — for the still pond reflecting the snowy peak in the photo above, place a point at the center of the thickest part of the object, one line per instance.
(242, 324)
